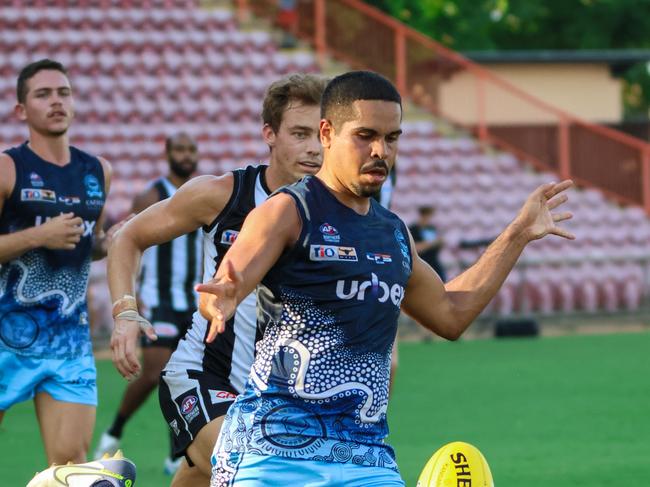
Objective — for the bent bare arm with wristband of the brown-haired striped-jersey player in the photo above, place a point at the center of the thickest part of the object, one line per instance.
(195, 204)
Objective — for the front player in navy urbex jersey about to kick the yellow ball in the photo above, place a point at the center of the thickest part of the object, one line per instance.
(332, 269)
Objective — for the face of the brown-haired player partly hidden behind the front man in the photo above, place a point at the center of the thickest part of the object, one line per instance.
(295, 148)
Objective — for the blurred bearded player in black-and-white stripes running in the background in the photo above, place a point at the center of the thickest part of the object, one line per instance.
(166, 291)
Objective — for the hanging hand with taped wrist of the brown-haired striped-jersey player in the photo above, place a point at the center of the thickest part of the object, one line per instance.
(124, 340)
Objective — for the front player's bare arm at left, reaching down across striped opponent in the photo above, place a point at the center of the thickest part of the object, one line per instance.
(268, 231)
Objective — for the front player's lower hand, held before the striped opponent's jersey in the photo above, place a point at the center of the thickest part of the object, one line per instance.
(218, 300)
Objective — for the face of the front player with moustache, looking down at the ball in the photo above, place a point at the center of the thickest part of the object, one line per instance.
(363, 150)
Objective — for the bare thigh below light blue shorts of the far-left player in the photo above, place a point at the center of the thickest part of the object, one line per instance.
(66, 428)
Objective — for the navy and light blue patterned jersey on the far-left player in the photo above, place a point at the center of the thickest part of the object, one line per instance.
(43, 292)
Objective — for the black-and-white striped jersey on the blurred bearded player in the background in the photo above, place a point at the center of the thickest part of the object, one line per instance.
(170, 270)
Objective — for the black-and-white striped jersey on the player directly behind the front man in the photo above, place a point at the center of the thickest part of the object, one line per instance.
(230, 355)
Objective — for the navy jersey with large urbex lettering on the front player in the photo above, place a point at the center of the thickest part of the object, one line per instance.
(318, 388)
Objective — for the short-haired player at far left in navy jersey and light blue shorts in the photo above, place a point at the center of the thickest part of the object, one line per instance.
(51, 212)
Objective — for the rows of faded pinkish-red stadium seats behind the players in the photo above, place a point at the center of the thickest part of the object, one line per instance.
(143, 70)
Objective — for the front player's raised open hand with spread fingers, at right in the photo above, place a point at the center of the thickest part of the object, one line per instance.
(537, 219)
